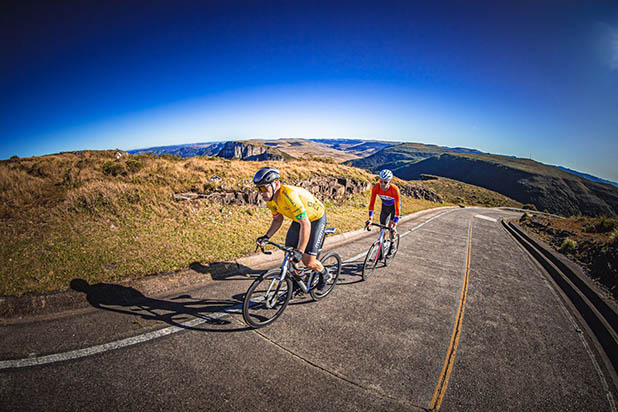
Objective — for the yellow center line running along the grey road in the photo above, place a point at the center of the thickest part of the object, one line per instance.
(438, 395)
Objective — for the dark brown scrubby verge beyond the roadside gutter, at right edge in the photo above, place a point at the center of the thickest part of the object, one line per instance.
(591, 242)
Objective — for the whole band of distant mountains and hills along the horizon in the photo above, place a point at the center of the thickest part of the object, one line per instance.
(548, 187)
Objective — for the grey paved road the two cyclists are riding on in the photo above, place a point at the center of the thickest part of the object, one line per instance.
(461, 320)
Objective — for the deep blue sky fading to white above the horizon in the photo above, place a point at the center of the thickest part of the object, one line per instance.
(527, 78)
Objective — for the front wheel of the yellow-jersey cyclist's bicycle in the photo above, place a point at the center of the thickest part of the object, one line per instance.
(266, 299)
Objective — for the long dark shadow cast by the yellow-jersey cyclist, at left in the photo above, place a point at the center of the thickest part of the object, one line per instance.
(182, 311)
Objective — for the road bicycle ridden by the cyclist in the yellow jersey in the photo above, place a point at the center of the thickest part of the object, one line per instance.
(270, 293)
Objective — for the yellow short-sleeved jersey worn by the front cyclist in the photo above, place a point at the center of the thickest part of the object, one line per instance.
(296, 203)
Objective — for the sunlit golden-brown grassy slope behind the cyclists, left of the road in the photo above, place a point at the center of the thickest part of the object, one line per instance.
(92, 216)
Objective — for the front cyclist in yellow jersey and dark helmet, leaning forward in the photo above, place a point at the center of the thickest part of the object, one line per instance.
(308, 214)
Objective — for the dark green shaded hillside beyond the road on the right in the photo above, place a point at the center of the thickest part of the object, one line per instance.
(524, 180)
